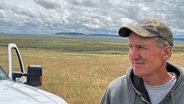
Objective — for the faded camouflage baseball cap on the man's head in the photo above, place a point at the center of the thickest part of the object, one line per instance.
(149, 28)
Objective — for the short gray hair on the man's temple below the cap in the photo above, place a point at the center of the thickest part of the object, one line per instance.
(161, 42)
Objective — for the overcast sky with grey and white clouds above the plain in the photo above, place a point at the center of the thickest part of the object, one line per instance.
(87, 16)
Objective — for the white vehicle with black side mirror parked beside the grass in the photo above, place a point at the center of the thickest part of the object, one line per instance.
(16, 87)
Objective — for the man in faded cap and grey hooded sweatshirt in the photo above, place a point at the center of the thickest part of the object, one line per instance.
(150, 79)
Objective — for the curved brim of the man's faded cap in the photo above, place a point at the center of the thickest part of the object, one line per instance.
(125, 31)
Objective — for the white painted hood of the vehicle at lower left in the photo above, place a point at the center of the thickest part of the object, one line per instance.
(17, 93)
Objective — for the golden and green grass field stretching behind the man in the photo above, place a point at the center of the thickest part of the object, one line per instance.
(76, 68)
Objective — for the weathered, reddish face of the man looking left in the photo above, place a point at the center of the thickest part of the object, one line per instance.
(146, 57)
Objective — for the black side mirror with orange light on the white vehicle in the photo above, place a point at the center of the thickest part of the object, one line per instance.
(34, 75)
